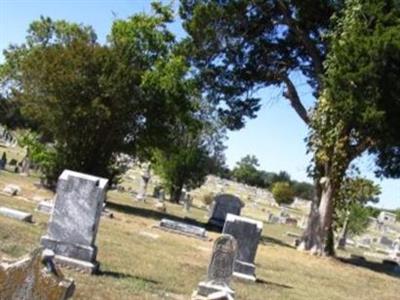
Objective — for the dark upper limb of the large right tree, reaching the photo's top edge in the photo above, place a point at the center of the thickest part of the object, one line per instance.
(304, 39)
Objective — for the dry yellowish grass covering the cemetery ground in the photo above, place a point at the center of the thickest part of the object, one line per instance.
(139, 261)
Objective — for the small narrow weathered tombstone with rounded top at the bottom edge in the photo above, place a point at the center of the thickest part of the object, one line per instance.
(220, 269)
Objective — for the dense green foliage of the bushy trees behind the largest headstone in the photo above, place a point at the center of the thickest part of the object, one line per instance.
(94, 101)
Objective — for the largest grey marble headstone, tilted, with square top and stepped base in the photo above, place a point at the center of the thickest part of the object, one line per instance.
(75, 219)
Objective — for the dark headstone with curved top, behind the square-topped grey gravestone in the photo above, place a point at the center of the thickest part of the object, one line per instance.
(221, 206)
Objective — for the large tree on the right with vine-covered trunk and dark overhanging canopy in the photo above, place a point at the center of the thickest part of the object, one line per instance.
(241, 46)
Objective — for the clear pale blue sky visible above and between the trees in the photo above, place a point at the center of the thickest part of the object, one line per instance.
(275, 137)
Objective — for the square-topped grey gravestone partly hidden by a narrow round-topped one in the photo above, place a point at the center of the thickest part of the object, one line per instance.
(247, 233)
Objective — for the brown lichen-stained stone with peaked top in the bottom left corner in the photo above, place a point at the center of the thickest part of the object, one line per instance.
(34, 277)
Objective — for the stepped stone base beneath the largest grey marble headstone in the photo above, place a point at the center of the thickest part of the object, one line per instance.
(79, 252)
